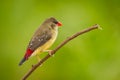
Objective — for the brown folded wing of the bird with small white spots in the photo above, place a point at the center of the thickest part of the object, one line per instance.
(39, 40)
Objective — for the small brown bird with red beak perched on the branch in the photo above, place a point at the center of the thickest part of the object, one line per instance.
(42, 39)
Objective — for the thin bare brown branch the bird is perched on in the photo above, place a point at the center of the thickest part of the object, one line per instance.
(96, 26)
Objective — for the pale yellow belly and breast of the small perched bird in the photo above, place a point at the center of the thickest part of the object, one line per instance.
(46, 46)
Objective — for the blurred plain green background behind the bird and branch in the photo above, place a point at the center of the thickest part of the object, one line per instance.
(92, 56)
